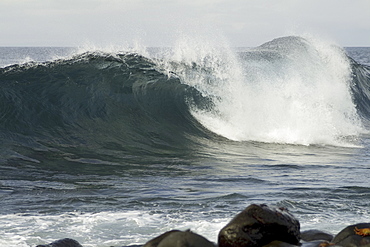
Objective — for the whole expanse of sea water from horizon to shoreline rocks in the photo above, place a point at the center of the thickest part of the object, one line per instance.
(113, 148)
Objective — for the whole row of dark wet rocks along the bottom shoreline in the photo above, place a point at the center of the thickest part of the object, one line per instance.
(256, 226)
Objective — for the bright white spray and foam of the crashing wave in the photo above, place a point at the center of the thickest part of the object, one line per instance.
(300, 95)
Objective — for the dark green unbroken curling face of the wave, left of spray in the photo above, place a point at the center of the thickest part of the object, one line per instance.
(119, 101)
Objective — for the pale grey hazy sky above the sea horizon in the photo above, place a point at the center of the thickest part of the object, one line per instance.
(160, 22)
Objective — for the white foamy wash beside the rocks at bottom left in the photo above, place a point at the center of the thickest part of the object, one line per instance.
(99, 229)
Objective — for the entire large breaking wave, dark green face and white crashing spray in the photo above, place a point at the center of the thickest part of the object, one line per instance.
(290, 90)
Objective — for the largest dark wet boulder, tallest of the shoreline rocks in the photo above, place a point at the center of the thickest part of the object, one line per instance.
(259, 225)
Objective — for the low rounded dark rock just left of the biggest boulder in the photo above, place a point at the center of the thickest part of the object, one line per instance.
(177, 238)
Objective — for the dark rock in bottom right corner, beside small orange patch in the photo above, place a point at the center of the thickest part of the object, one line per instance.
(348, 237)
